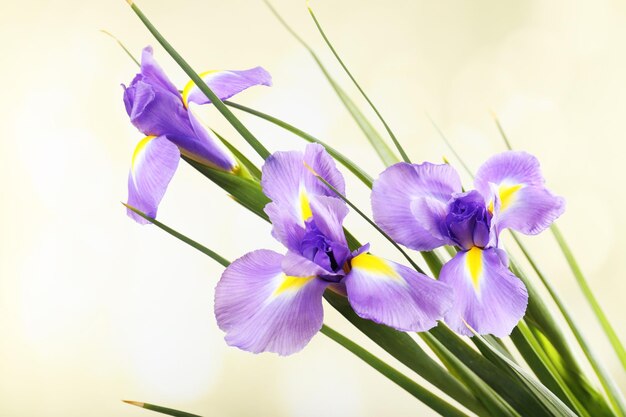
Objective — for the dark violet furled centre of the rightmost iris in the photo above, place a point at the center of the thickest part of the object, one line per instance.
(468, 221)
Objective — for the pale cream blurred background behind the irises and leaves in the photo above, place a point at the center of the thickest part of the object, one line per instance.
(95, 308)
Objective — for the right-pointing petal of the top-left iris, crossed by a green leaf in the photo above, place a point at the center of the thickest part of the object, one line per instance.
(226, 84)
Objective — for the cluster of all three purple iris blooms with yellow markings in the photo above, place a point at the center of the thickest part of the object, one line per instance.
(268, 301)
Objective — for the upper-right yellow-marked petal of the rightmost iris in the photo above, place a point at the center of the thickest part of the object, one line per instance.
(515, 179)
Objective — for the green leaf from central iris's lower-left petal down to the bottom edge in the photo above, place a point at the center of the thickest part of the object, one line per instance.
(433, 401)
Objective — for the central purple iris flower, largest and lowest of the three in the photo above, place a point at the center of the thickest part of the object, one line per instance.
(266, 301)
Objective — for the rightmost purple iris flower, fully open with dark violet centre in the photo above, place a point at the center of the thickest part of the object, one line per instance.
(422, 206)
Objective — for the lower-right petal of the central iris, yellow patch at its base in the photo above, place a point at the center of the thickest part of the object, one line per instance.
(394, 295)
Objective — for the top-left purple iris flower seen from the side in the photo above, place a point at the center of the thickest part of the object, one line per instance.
(160, 112)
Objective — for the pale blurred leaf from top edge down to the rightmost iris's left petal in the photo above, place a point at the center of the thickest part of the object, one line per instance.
(382, 149)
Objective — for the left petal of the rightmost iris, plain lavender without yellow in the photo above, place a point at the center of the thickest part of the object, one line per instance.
(409, 202)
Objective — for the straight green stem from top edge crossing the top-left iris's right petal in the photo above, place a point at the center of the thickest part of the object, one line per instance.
(193, 75)
